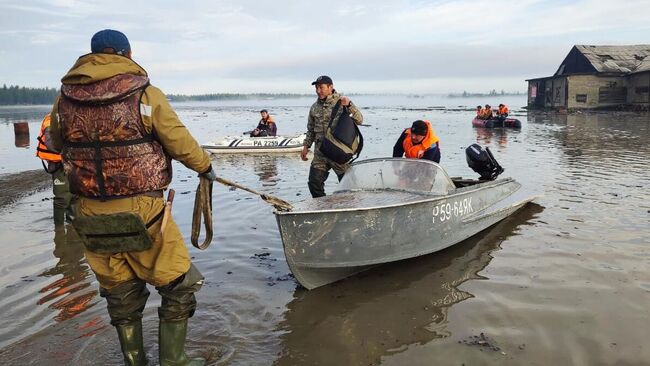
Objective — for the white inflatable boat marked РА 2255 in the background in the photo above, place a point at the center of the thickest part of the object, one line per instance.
(245, 144)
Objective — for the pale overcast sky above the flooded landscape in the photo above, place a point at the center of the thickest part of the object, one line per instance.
(379, 46)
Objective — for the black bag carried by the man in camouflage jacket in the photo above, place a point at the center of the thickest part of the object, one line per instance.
(342, 139)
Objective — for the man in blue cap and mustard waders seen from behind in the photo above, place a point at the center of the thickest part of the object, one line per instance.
(117, 135)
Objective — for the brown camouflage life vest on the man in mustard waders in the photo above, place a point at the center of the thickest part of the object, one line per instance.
(107, 151)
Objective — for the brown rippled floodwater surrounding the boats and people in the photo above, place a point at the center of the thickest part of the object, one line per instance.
(564, 281)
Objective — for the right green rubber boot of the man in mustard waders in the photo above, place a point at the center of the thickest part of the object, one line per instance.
(171, 340)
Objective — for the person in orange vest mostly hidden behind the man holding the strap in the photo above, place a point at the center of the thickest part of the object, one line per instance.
(62, 203)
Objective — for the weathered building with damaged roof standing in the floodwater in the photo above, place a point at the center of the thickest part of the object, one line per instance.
(596, 77)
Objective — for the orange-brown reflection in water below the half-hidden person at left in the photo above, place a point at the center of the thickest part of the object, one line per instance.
(69, 294)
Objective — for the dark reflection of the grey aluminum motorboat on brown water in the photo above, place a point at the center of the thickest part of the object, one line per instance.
(357, 321)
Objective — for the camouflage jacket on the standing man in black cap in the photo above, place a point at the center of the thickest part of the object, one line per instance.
(320, 115)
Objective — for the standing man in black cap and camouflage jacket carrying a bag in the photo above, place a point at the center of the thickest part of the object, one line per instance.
(319, 118)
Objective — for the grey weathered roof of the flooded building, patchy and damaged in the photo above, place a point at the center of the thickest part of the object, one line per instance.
(617, 59)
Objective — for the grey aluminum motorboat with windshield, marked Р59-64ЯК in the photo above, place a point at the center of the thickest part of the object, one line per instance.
(385, 210)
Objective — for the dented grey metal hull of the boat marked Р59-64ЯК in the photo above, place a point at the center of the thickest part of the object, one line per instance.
(325, 246)
